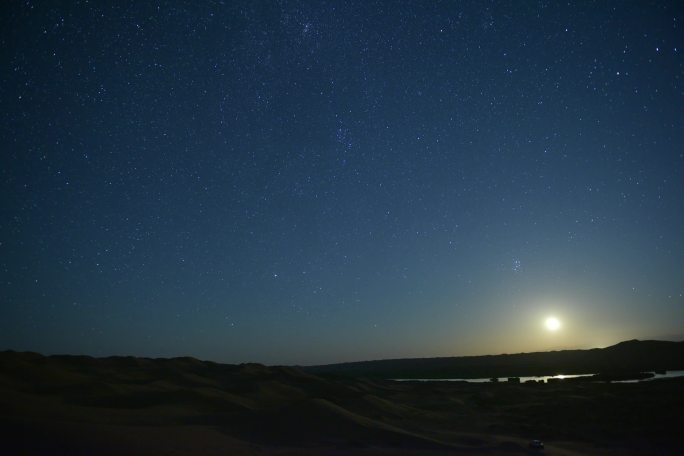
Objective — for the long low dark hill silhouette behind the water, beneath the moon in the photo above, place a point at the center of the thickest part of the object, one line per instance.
(628, 356)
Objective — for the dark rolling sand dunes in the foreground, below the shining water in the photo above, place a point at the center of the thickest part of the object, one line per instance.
(81, 405)
